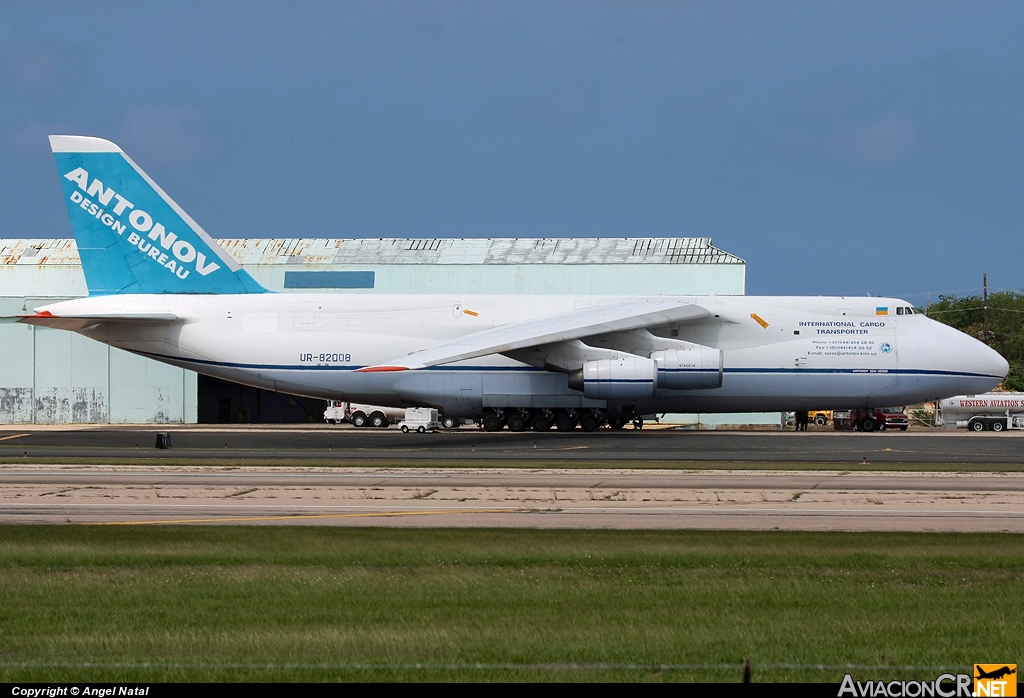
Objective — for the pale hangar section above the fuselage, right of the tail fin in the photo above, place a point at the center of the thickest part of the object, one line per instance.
(624, 267)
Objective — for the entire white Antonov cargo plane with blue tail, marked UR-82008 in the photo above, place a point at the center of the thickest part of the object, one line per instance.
(161, 287)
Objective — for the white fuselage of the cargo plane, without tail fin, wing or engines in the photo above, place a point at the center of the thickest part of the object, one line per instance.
(780, 354)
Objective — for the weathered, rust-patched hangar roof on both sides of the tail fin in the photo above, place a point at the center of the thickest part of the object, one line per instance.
(486, 251)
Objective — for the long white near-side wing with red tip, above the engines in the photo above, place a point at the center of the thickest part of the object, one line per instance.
(581, 324)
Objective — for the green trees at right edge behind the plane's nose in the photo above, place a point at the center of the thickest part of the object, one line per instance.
(1006, 326)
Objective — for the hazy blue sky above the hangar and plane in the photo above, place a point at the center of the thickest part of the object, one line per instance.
(839, 148)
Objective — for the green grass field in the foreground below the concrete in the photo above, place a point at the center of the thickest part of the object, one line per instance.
(321, 604)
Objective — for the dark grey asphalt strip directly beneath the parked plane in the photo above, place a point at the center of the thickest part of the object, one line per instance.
(329, 444)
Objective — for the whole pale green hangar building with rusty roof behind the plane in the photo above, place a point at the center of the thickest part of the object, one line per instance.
(55, 377)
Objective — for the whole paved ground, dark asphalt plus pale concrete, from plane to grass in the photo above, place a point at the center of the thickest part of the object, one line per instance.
(610, 479)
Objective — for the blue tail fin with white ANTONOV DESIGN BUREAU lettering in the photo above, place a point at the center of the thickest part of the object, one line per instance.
(133, 238)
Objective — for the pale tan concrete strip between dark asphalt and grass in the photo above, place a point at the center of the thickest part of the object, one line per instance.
(515, 498)
